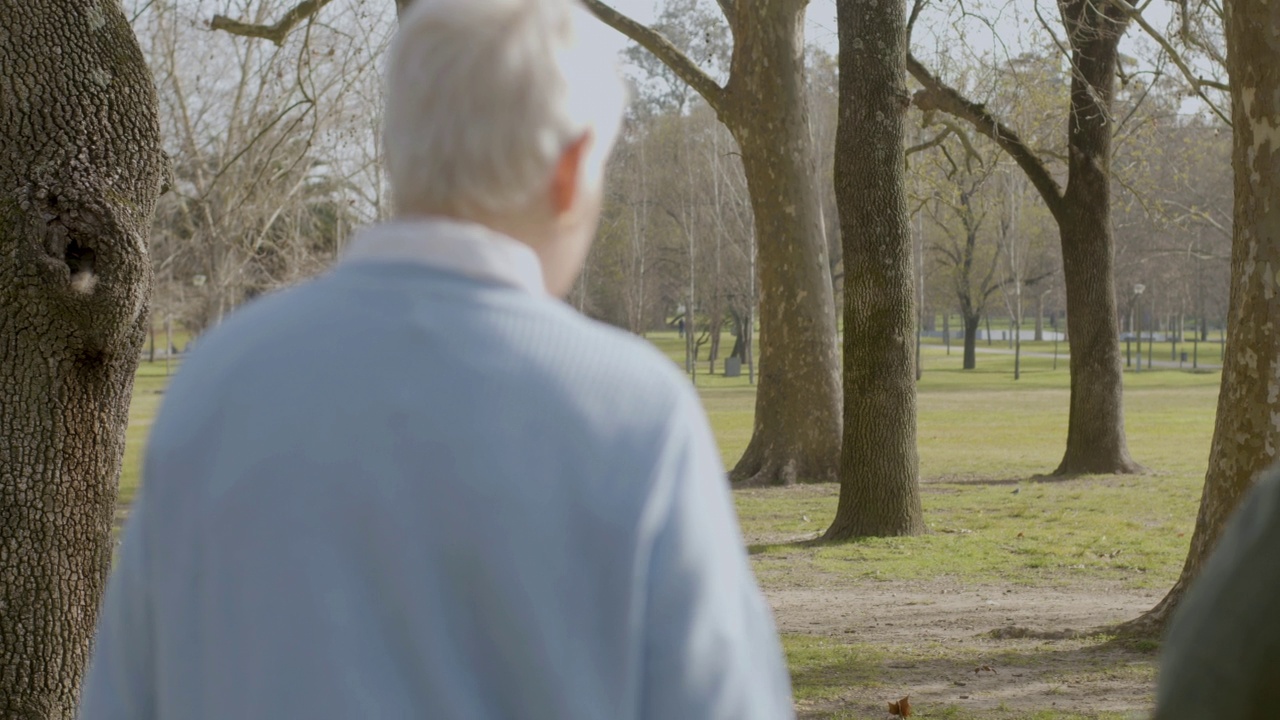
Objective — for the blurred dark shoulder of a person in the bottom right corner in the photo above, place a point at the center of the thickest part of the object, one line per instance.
(1222, 657)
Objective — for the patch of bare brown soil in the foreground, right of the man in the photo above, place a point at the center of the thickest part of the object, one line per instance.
(935, 642)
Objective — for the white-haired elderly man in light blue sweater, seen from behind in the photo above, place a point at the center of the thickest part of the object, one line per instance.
(424, 487)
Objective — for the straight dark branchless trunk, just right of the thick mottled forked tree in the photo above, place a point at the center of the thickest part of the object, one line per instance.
(880, 491)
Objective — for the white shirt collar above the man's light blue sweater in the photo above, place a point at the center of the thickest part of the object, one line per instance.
(455, 247)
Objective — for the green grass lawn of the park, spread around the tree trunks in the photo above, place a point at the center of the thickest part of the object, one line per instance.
(984, 440)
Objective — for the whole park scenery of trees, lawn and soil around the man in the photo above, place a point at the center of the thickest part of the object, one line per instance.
(986, 403)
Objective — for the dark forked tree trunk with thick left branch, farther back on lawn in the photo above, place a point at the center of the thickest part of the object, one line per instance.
(1096, 439)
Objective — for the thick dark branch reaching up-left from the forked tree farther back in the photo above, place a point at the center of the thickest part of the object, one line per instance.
(940, 97)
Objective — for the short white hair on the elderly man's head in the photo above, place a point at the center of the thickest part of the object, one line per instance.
(483, 99)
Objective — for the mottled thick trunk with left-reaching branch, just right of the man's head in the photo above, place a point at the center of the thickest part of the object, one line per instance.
(798, 421)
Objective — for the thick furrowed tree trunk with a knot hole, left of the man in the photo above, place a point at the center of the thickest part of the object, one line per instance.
(80, 171)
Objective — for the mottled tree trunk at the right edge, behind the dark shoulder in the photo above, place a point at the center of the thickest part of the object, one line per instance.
(1247, 432)
